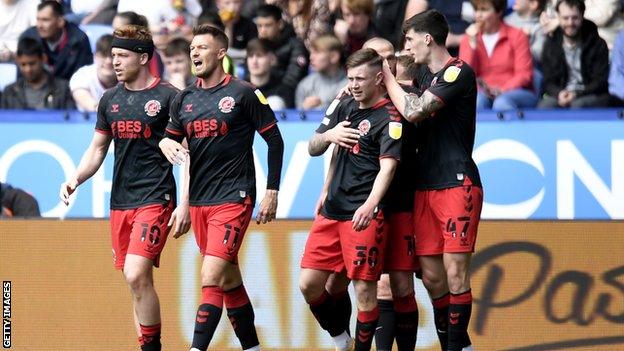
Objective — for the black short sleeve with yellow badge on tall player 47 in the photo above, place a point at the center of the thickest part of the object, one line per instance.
(455, 80)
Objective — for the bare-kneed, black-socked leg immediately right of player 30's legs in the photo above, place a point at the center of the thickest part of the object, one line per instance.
(384, 335)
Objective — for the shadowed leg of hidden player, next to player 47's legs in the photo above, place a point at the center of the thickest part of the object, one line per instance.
(406, 309)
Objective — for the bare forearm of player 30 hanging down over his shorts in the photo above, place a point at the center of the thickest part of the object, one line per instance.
(365, 213)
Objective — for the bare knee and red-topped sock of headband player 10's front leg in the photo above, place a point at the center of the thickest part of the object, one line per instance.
(138, 274)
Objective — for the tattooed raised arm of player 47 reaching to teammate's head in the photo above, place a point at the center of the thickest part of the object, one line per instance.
(414, 108)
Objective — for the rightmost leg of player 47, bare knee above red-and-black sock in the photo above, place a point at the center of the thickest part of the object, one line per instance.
(457, 265)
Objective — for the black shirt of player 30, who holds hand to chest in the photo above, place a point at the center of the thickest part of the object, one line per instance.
(380, 131)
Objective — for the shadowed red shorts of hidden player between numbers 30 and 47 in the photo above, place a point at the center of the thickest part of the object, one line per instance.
(401, 248)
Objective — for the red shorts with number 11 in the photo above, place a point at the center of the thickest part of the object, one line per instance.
(219, 229)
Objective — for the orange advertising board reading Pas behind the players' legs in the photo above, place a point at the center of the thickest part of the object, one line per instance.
(537, 285)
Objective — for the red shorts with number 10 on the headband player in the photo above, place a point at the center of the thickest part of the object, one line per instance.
(139, 231)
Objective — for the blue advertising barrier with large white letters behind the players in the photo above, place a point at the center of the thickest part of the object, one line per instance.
(534, 164)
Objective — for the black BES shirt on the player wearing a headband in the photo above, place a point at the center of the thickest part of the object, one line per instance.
(137, 121)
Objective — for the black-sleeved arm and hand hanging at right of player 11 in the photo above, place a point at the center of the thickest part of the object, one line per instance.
(275, 156)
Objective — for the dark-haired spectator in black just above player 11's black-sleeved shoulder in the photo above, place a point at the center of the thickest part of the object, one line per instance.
(260, 62)
